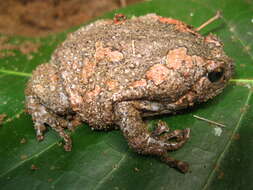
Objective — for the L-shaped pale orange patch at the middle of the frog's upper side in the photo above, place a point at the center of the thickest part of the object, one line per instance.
(102, 53)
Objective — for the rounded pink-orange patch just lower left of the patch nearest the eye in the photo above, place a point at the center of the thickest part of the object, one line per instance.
(157, 73)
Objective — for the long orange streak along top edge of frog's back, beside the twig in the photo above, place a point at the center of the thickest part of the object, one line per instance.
(181, 26)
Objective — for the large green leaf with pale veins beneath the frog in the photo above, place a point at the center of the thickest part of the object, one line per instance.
(102, 160)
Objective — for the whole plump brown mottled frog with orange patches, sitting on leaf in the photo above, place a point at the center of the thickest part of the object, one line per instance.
(115, 72)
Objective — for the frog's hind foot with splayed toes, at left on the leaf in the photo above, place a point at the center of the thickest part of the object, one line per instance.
(42, 118)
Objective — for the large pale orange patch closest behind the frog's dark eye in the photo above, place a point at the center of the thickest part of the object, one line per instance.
(178, 57)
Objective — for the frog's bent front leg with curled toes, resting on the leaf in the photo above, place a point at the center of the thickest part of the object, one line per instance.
(142, 141)
